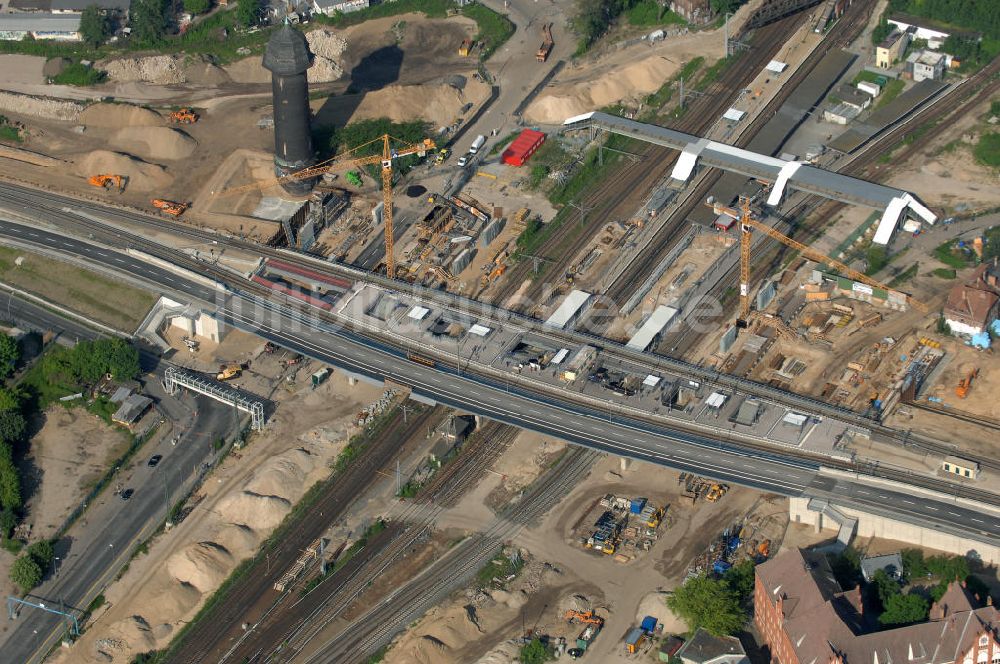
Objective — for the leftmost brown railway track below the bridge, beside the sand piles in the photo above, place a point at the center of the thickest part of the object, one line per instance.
(211, 634)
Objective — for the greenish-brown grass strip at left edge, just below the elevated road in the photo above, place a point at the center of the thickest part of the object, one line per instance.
(93, 295)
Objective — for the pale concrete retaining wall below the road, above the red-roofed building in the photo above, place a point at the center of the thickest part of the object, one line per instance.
(872, 525)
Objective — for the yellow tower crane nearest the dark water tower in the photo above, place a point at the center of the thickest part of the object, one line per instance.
(348, 159)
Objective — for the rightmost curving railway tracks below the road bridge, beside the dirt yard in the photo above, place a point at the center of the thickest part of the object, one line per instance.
(377, 626)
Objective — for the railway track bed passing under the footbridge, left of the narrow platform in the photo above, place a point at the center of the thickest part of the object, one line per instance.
(617, 197)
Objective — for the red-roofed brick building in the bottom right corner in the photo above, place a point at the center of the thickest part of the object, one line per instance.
(806, 618)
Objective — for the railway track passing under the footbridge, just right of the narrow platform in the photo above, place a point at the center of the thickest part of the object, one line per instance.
(850, 25)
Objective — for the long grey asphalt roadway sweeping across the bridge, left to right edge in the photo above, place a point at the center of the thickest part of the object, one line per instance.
(576, 424)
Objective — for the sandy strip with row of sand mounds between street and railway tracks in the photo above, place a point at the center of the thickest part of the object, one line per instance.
(239, 504)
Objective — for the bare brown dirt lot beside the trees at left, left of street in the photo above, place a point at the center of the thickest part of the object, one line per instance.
(72, 450)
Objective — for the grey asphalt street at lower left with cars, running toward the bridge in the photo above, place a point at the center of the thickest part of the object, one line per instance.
(96, 547)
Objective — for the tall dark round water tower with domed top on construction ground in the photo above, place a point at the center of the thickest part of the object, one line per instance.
(287, 57)
